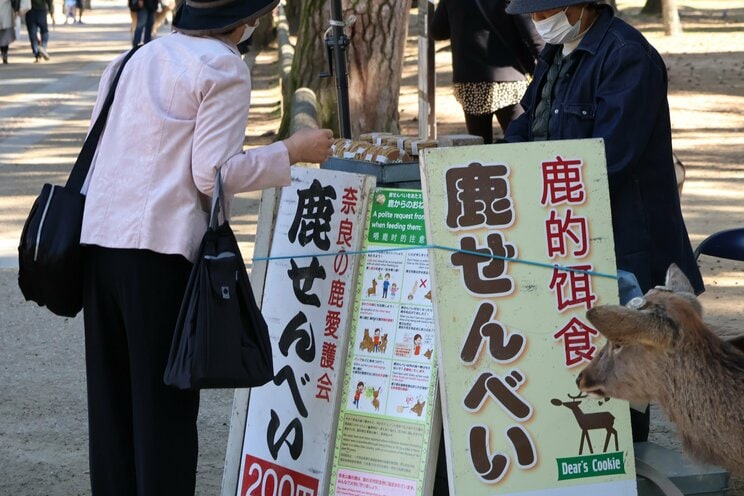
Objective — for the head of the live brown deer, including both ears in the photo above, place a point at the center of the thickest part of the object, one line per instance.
(645, 339)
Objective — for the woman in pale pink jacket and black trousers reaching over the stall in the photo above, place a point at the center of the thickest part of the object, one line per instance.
(179, 117)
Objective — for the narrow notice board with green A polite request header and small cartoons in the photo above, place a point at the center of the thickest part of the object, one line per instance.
(389, 390)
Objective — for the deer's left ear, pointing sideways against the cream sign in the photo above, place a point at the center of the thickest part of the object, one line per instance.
(625, 326)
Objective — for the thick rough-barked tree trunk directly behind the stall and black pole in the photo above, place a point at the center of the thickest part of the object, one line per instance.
(374, 57)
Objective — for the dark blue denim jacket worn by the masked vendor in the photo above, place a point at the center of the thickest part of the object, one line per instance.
(618, 91)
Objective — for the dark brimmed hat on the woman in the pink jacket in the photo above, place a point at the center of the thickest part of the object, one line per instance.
(200, 17)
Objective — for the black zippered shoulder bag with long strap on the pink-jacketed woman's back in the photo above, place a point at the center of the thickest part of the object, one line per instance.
(50, 263)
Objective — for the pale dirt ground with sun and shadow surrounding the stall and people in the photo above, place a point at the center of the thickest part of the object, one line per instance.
(42, 384)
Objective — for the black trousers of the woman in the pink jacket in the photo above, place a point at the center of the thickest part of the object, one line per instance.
(142, 433)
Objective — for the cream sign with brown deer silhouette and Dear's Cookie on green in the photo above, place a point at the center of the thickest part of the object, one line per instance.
(524, 248)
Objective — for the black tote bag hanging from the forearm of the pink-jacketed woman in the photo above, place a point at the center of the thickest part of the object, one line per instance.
(221, 339)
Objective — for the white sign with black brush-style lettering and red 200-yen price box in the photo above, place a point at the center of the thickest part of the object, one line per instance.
(307, 302)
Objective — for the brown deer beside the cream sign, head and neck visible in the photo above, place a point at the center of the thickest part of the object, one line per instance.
(660, 350)
